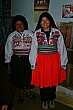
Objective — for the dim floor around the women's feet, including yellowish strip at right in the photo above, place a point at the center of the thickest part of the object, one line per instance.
(62, 102)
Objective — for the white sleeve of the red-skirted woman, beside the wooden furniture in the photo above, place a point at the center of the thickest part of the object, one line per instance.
(62, 50)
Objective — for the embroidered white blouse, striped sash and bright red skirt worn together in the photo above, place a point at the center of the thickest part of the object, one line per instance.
(49, 55)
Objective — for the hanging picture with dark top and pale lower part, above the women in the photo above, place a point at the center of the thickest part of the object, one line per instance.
(39, 7)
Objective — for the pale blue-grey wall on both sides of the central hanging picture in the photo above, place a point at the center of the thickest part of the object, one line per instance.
(25, 8)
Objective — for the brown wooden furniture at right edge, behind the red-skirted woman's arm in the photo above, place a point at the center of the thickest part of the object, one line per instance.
(67, 31)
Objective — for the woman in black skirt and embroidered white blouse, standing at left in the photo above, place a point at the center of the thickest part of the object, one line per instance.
(17, 52)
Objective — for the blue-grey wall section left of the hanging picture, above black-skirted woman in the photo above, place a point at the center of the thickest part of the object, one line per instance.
(25, 8)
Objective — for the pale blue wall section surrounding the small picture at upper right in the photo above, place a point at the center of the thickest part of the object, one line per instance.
(56, 10)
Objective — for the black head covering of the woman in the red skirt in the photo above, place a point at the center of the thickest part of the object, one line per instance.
(49, 17)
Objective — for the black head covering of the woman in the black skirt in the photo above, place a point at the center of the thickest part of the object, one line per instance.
(19, 18)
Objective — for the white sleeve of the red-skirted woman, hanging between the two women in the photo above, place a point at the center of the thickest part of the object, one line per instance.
(33, 52)
